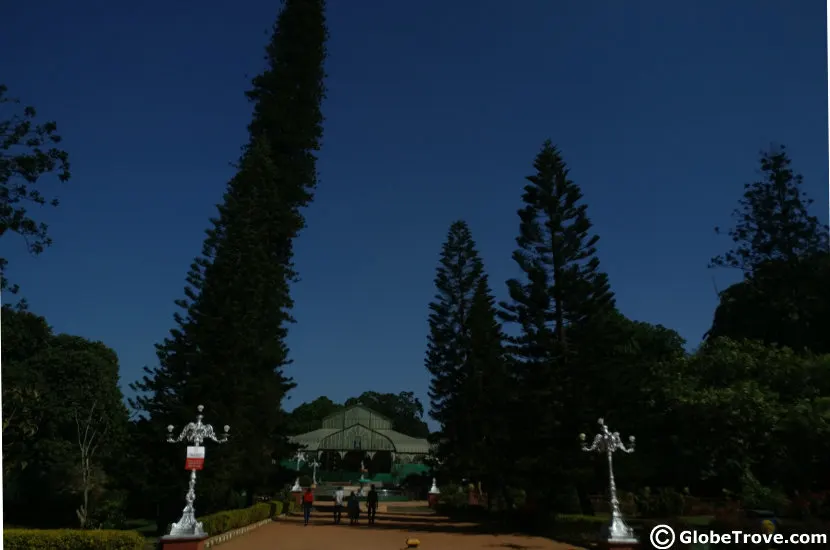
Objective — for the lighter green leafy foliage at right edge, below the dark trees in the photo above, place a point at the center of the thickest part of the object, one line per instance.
(756, 411)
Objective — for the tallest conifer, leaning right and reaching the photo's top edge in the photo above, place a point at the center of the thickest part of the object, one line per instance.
(228, 351)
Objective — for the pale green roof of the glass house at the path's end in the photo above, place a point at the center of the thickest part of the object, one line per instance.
(359, 428)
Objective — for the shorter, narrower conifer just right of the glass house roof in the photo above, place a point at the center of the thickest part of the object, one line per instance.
(465, 359)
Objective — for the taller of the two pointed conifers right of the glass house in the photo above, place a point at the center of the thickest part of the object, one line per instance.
(562, 291)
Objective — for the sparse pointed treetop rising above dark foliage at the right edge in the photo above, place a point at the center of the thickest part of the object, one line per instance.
(773, 222)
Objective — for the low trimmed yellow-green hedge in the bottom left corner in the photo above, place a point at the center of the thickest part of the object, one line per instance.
(71, 539)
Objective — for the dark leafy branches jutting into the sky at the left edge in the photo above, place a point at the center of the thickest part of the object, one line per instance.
(28, 151)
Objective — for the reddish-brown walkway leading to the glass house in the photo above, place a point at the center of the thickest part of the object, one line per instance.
(388, 533)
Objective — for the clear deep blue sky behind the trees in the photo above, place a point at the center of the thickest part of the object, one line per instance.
(435, 111)
